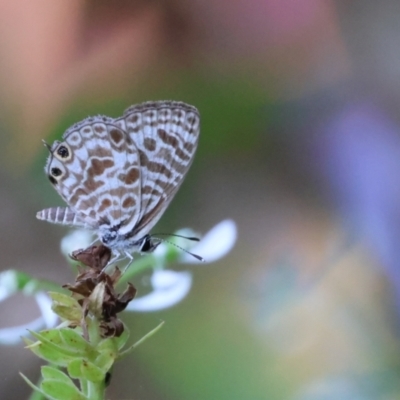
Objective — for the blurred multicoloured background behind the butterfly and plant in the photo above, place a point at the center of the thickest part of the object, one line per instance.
(300, 145)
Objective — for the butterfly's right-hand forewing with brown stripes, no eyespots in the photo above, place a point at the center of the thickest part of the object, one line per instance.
(166, 135)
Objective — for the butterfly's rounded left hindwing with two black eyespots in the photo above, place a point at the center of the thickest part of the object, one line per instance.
(96, 170)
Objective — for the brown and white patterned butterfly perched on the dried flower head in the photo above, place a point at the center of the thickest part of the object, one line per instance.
(118, 176)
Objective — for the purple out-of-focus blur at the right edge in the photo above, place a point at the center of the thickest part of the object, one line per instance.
(360, 152)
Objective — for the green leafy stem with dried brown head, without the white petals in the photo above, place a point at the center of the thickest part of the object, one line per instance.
(90, 338)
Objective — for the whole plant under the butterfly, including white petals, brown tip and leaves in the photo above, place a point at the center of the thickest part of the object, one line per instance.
(91, 337)
